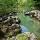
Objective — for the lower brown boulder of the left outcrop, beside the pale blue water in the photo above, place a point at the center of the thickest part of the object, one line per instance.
(15, 29)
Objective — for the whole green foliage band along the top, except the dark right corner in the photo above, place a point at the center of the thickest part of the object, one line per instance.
(15, 5)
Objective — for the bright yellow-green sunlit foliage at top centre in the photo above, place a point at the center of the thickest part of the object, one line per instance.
(25, 5)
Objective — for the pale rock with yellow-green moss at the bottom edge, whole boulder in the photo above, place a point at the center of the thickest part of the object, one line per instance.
(26, 36)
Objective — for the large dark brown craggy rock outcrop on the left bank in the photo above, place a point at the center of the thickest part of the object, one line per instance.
(10, 26)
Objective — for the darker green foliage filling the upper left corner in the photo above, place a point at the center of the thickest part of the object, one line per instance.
(7, 5)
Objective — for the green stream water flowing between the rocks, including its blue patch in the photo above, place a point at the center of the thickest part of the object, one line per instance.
(30, 24)
